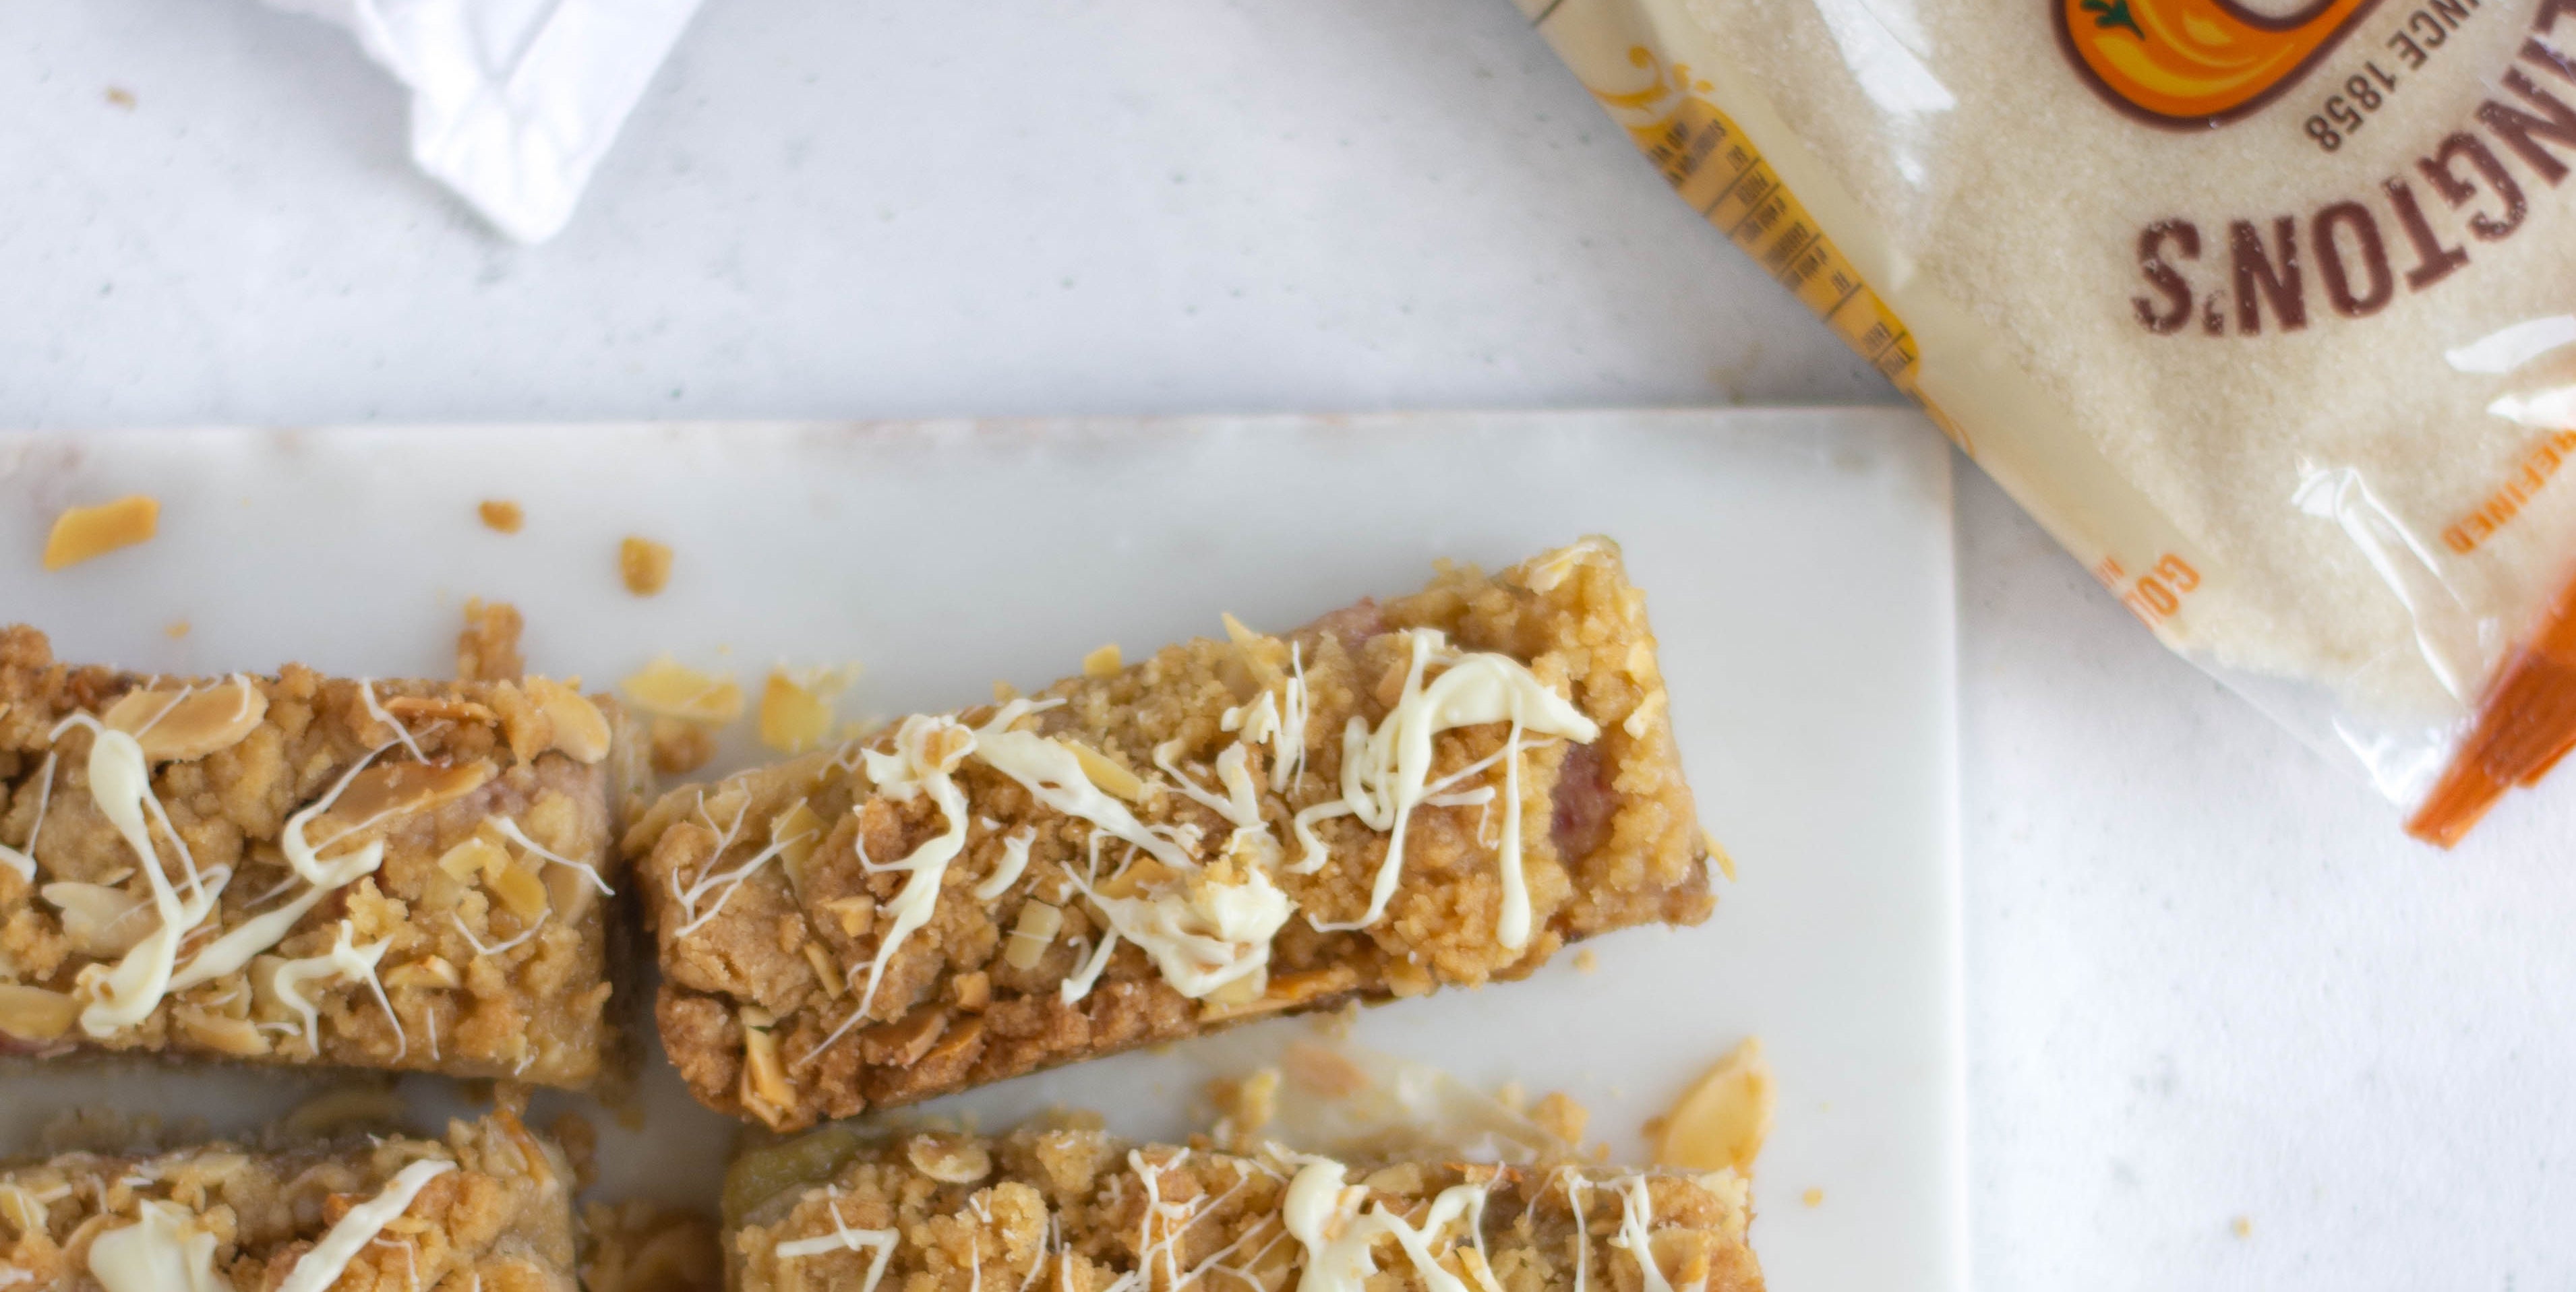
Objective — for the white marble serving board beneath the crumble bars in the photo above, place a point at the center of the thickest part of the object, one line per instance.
(1797, 570)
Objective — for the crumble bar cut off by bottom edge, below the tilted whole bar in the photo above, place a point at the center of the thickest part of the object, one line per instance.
(1075, 1211)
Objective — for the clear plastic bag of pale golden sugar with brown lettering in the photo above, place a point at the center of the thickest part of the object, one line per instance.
(2263, 308)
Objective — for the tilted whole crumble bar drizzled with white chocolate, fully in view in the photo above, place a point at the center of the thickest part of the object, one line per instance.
(1434, 791)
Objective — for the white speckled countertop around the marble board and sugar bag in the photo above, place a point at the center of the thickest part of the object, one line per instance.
(2206, 974)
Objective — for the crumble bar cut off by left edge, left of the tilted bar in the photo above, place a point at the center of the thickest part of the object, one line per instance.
(308, 871)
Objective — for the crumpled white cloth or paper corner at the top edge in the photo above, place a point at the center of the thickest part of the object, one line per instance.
(514, 102)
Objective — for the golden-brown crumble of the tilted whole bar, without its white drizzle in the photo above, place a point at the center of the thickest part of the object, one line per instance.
(1609, 840)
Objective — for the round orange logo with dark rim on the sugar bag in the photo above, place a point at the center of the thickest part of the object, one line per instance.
(2199, 63)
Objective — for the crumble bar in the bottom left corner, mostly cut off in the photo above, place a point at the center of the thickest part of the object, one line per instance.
(488, 1208)
